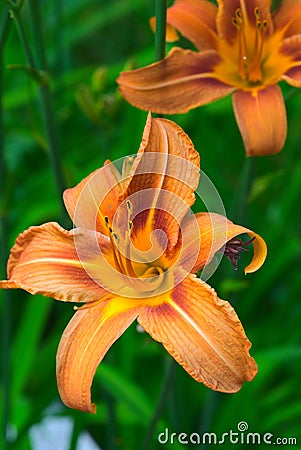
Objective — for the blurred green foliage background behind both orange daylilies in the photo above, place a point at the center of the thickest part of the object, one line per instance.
(87, 44)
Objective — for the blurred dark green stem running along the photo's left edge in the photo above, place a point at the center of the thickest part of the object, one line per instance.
(6, 312)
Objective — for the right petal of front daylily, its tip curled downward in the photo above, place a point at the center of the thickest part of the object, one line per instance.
(214, 232)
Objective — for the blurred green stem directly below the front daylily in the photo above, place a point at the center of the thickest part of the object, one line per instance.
(147, 444)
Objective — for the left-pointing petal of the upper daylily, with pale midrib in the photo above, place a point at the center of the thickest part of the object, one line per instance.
(182, 81)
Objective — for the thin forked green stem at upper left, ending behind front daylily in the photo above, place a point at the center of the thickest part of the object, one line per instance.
(45, 94)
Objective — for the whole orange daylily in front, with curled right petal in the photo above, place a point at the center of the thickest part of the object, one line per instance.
(132, 255)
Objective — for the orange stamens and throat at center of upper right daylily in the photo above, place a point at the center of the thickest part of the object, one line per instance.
(250, 45)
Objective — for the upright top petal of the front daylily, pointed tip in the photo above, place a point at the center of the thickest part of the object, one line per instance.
(162, 181)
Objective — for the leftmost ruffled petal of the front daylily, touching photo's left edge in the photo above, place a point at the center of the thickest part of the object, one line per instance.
(44, 261)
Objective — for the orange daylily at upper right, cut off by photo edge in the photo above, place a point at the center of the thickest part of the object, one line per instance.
(244, 49)
